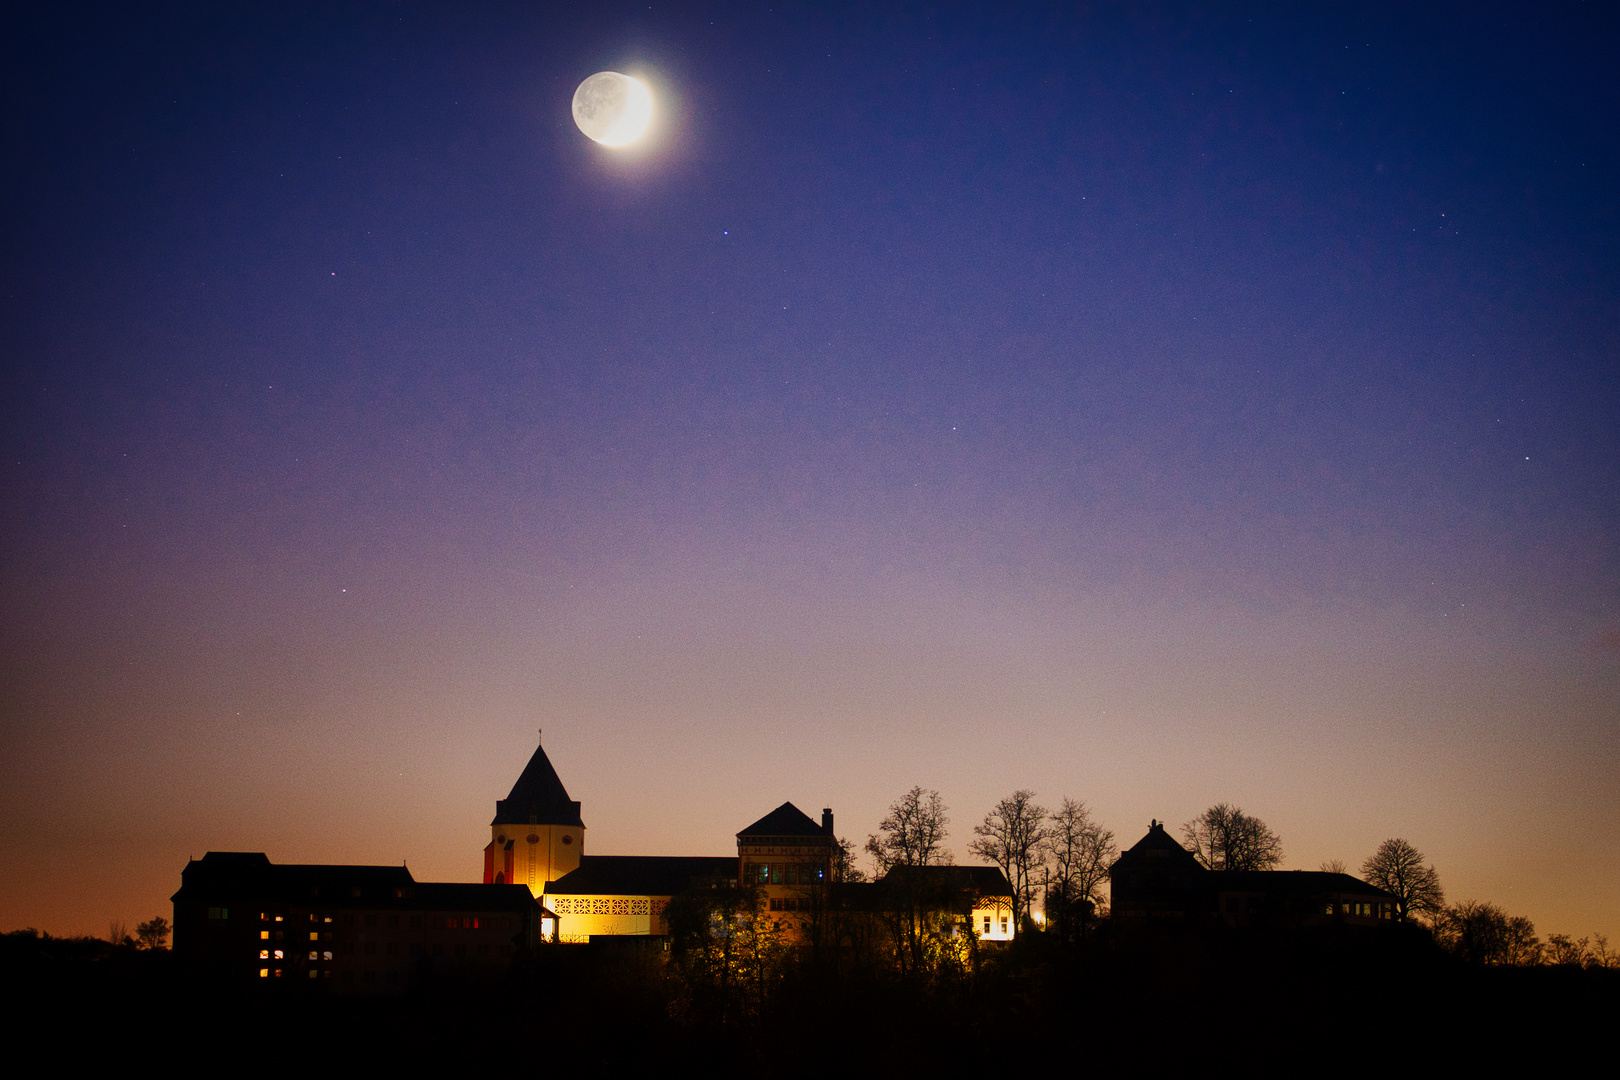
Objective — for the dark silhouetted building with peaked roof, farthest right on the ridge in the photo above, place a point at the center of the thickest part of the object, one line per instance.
(1161, 885)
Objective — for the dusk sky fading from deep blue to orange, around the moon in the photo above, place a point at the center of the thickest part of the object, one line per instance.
(1213, 404)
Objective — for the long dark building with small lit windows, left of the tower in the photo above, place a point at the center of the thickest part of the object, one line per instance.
(242, 919)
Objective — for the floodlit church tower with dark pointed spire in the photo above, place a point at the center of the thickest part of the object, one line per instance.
(537, 835)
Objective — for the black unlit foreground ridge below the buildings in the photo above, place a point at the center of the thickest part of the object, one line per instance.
(1323, 1000)
